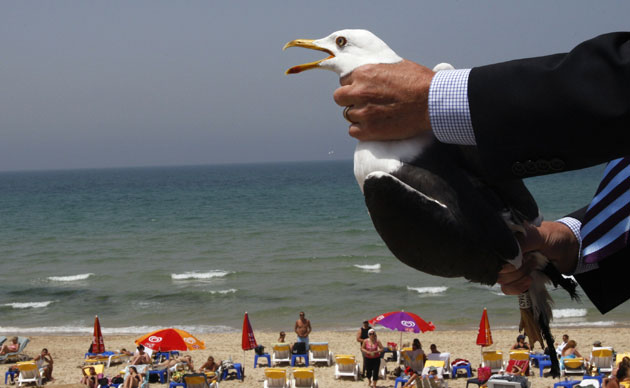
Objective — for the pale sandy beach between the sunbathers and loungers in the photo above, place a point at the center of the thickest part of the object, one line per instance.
(68, 351)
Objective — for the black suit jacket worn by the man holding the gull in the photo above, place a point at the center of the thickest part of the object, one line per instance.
(554, 113)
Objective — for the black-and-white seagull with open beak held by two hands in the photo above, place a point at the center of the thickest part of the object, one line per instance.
(431, 202)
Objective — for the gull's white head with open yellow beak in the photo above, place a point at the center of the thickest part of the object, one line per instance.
(347, 49)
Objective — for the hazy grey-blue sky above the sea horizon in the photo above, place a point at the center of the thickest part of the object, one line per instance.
(89, 84)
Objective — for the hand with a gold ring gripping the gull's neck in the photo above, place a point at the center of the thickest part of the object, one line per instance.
(387, 101)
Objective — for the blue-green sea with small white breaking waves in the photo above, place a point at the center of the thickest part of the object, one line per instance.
(196, 247)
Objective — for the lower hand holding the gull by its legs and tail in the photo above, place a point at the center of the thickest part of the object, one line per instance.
(554, 240)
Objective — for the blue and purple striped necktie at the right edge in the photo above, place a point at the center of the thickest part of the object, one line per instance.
(606, 224)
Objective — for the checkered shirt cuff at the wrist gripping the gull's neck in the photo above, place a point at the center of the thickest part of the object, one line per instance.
(448, 107)
